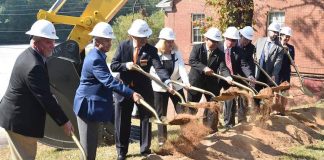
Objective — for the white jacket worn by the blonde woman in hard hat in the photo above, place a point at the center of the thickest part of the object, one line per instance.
(179, 73)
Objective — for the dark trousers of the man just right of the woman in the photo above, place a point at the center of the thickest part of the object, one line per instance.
(210, 117)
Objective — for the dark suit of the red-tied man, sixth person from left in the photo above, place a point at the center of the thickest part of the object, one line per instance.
(240, 67)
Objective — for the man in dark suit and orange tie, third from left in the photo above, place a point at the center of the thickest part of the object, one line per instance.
(136, 51)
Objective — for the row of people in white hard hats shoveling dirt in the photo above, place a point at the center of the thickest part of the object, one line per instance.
(28, 97)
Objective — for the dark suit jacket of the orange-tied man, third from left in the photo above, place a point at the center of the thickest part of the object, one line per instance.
(148, 57)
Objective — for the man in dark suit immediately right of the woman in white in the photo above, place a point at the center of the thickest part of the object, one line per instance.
(206, 59)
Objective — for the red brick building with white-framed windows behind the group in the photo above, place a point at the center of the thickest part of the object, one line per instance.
(305, 17)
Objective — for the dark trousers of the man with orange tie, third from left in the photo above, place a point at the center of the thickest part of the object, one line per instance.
(123, 114)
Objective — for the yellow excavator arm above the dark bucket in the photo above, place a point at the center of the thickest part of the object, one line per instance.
(96, 11)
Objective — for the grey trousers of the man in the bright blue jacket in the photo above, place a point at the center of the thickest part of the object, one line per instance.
(88, 132)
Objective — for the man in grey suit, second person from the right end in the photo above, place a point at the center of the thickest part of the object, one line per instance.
(269, 54)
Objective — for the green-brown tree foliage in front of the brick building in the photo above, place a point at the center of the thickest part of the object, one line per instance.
(229, 13)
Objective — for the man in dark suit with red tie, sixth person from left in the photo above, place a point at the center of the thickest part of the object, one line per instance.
(237, 65)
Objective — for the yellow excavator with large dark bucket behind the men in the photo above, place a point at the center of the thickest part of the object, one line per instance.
(65, 65)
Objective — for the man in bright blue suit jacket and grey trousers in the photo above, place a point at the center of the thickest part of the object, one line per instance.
(93, 102)
